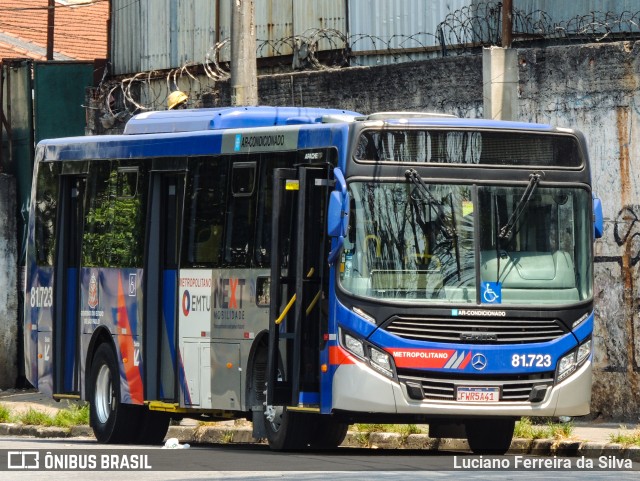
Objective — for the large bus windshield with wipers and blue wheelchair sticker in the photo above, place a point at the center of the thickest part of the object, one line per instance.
(448, 243)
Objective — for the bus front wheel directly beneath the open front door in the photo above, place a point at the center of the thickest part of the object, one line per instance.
(288, 430)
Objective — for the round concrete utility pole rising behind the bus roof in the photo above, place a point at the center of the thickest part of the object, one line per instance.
(244, 73)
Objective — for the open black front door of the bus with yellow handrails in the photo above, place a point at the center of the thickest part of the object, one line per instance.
(298, 285)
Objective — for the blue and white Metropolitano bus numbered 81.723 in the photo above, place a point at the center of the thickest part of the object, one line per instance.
(311, 268)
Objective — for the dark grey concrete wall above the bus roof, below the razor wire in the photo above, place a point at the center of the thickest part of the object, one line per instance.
(447, 85)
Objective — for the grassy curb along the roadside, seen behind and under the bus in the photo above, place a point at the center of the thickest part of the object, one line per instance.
(375, 440)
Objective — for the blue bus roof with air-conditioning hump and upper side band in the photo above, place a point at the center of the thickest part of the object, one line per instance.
(207, 131)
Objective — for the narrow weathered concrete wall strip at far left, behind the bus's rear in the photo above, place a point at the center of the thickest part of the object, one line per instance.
(8, 284)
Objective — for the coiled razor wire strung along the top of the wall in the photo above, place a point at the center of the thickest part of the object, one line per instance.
(462, 32)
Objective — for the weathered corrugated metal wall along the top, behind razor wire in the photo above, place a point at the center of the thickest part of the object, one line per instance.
(162, 34)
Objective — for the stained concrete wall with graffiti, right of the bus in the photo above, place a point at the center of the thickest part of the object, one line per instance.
(595, 88)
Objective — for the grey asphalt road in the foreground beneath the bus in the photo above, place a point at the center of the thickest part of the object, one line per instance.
(257, 462)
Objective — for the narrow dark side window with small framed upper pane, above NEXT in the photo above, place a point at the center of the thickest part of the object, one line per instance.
(240, 215)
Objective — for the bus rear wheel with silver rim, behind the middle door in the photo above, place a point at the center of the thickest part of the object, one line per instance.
(111, 420)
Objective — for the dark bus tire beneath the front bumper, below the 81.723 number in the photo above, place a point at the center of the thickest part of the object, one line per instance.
(490, 436)
